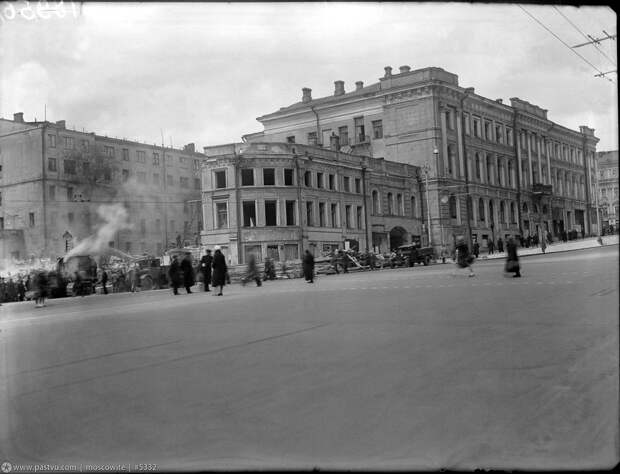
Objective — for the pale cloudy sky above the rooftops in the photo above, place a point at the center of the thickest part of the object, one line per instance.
(203, 72)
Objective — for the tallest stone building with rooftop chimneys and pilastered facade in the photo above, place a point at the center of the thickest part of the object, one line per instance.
(494, 169)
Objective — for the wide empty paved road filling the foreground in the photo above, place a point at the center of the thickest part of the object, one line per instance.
(407, 368)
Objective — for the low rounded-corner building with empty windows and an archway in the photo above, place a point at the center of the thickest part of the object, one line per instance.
(278, 199)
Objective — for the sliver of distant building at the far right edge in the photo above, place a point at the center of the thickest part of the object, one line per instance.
(607, 164)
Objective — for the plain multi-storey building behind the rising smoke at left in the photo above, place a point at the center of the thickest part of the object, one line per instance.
(53, 180)
